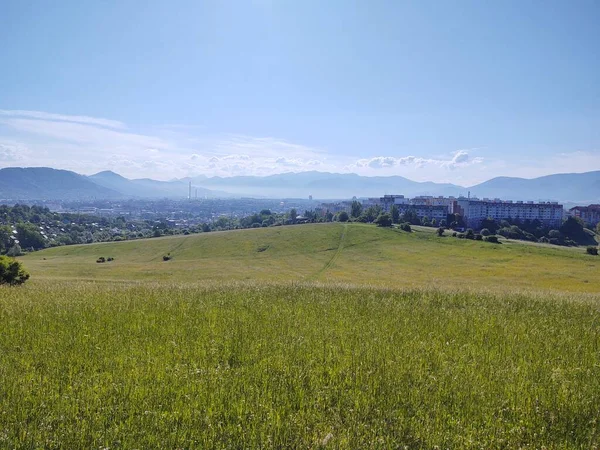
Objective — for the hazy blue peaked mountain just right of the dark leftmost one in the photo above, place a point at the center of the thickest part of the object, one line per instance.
(147, 188)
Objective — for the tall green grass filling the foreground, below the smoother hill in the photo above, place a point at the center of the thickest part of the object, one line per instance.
(86, 365)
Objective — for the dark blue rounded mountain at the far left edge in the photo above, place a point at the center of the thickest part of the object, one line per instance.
(42, 183)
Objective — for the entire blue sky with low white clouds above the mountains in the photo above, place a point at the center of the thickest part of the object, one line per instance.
(441, 91)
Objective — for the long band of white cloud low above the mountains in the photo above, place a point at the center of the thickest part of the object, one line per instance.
(87, 145)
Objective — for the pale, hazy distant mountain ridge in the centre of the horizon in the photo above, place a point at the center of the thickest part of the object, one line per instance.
(325, 185)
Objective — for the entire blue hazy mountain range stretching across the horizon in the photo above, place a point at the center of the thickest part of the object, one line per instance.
(42, 183)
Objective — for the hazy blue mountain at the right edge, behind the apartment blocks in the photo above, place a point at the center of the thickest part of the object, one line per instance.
(565, 187)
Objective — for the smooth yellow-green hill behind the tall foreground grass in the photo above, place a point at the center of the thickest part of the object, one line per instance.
(349, 253)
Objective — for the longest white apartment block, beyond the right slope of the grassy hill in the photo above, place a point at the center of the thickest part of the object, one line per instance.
(475, 210)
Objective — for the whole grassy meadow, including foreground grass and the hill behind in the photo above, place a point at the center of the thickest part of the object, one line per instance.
(317, 336)
